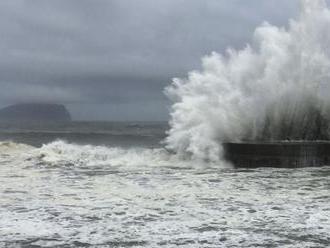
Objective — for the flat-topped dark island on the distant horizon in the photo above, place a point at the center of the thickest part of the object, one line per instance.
(35, 112)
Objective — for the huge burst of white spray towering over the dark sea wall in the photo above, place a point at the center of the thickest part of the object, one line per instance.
(276, 88)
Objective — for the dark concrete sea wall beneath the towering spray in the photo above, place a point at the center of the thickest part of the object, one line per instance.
(279, 154)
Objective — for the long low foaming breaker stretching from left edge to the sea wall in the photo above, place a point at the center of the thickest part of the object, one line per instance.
(60, 153)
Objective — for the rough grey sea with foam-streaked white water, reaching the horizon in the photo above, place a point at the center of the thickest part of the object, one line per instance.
(114, 184)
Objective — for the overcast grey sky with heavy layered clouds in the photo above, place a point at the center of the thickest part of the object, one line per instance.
(111, 59)
